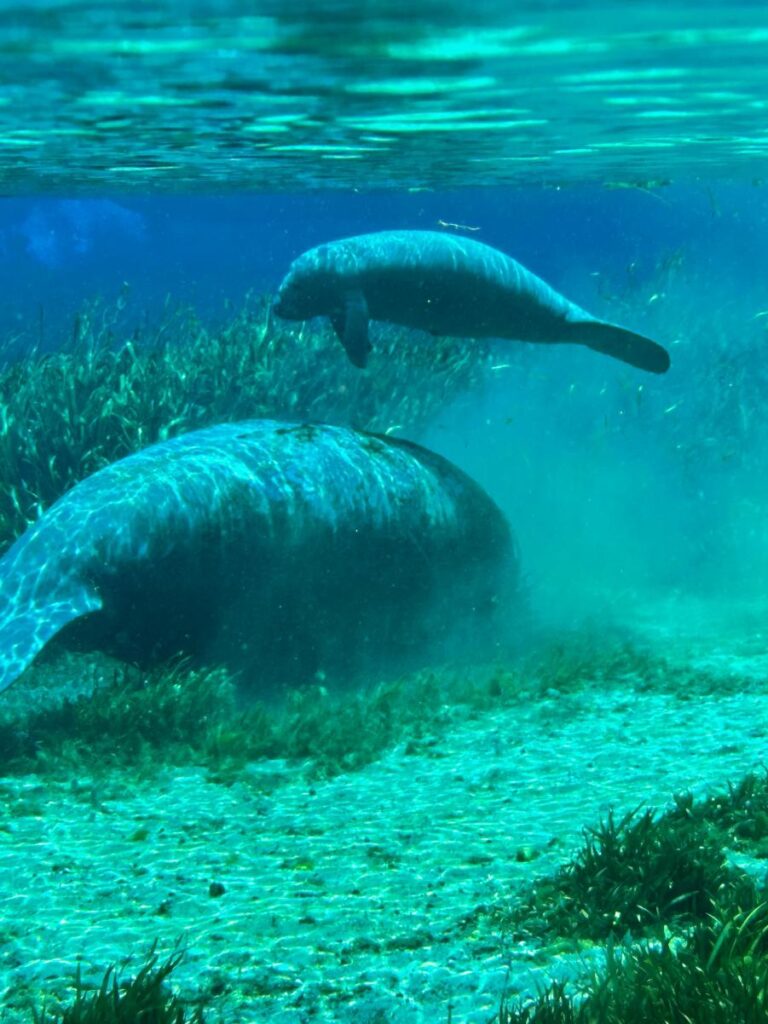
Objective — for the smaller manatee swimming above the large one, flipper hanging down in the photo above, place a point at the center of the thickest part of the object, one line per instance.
(446, 285)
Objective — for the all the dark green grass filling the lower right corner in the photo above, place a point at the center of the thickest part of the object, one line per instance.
(686, 931)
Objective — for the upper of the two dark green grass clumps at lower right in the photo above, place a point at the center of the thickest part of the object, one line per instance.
(645, 871)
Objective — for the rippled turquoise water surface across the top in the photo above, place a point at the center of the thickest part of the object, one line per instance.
(219, 98)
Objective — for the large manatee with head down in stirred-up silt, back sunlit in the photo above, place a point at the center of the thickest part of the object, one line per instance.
(281, 549)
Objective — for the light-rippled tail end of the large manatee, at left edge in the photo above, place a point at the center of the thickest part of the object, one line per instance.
(25, 632)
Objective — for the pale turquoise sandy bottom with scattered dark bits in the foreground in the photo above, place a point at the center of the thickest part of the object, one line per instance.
(357, 900)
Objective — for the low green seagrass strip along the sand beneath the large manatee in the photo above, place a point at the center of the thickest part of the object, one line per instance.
(180, 714)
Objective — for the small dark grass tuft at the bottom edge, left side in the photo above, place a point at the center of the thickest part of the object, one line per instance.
(145, 999)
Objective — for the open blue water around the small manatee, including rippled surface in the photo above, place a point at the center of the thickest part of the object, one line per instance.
(177, 154)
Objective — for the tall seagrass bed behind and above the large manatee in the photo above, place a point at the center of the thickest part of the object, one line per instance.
(110, 391)
